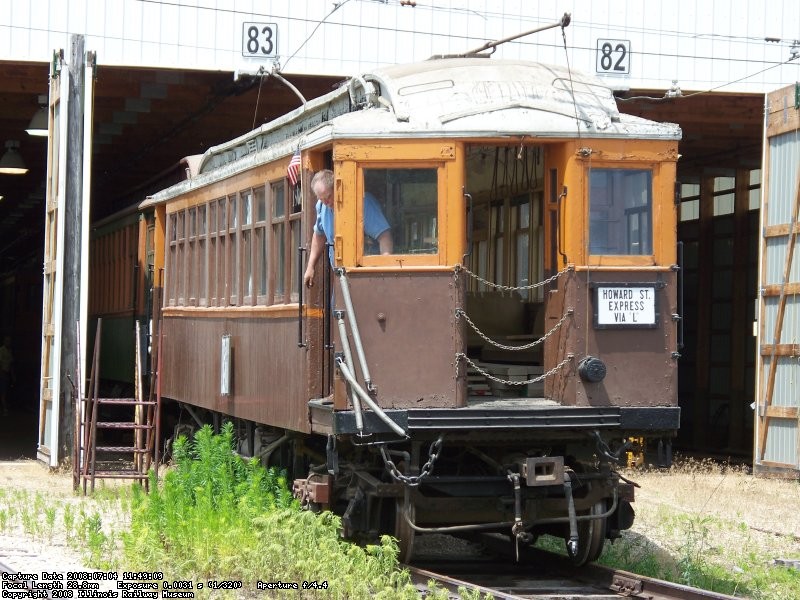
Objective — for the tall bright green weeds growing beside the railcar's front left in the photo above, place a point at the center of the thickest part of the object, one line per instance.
(217, 516)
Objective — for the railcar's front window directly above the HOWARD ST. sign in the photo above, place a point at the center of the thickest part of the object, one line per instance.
(621, 212)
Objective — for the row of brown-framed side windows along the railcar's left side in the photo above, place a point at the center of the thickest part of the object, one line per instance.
(223, 263)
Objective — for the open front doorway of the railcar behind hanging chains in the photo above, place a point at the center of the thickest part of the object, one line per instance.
(506, 185)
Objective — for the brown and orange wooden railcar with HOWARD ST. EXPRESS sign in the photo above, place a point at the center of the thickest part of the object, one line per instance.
(484, 373)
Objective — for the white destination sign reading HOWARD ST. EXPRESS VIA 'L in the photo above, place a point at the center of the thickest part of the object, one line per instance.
(619, 305)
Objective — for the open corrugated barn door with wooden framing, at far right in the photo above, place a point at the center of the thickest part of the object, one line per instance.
(777, 444)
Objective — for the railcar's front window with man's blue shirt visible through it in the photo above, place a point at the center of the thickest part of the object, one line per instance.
(406, 202)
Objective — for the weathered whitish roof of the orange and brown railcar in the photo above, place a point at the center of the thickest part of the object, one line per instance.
(449, 97)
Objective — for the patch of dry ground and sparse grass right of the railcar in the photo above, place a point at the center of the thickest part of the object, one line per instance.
(698, 524)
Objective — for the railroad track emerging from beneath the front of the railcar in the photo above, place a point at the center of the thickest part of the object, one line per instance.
(541, 575)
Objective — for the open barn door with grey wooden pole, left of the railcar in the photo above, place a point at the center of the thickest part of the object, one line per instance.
(66, 262)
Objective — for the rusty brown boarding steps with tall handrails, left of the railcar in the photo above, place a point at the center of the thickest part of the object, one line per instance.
(129, 459)
